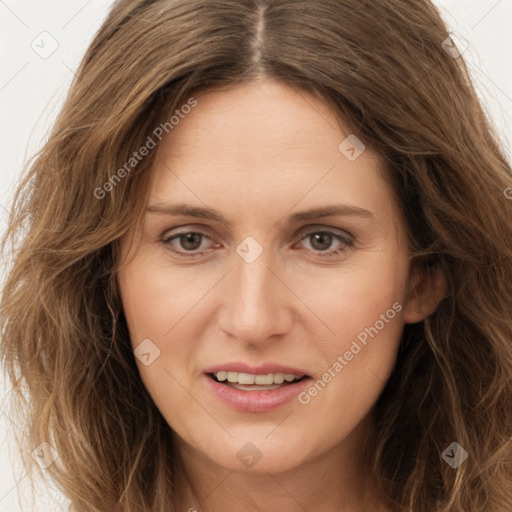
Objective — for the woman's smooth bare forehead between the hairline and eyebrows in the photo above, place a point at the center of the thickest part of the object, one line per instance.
(255, 144)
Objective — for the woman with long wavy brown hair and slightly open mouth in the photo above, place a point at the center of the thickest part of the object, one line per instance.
(263, 262)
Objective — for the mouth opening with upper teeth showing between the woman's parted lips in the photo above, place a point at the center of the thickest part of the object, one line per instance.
(255, 382)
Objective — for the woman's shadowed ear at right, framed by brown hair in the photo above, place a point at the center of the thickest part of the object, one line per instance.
(426, 289)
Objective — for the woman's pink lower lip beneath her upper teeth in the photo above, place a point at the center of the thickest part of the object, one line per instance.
(256, 401)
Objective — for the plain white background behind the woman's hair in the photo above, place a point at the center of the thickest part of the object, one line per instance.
(32, 89)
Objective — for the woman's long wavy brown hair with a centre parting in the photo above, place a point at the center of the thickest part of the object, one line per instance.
(382, 68)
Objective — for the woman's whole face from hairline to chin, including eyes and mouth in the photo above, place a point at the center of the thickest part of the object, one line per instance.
(272, 246)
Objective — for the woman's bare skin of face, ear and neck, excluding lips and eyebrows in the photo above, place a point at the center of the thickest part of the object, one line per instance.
(257, 154)
